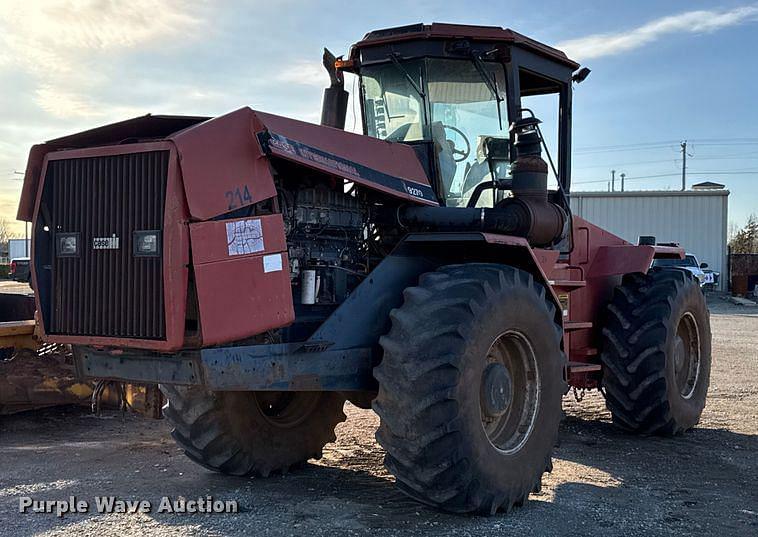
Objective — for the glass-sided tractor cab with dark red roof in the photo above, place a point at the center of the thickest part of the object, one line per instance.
(455, 93)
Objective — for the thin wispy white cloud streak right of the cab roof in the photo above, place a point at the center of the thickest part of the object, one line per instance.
(701, 21)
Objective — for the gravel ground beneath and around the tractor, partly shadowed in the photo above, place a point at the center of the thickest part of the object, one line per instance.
(604, 482)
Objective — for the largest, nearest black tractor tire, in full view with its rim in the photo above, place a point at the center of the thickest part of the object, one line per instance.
(470, 388)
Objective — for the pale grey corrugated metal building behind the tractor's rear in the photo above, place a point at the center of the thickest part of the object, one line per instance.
(696, 219)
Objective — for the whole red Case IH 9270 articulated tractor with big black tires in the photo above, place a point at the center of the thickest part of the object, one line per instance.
(264, 271)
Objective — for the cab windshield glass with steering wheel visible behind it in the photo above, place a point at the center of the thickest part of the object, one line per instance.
(456, 104)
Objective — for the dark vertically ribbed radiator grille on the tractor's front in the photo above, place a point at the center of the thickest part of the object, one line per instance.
(108, 292)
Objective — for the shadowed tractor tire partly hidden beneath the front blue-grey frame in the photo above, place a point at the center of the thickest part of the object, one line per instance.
(252, 433)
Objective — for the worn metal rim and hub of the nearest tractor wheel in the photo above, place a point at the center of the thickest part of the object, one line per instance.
(509, 392)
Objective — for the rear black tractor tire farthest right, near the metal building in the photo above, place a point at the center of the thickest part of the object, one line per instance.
(656, 352)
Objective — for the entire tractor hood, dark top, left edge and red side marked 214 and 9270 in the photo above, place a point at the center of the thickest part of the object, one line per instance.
(226, 162)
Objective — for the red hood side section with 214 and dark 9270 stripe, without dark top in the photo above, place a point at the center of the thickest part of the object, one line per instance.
(226, 161)
